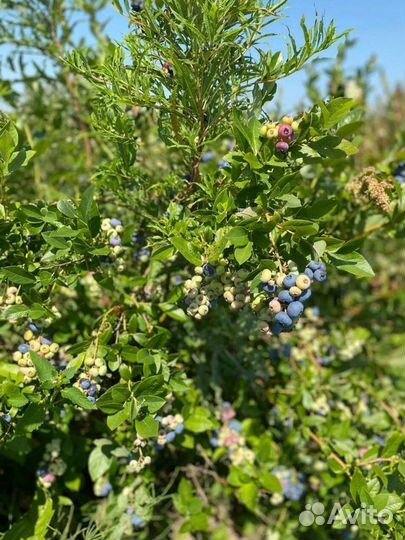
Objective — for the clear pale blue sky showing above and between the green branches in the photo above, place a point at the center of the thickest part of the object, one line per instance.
(378, 27)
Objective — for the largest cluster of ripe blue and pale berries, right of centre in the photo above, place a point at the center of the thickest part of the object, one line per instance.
(289, 304)
